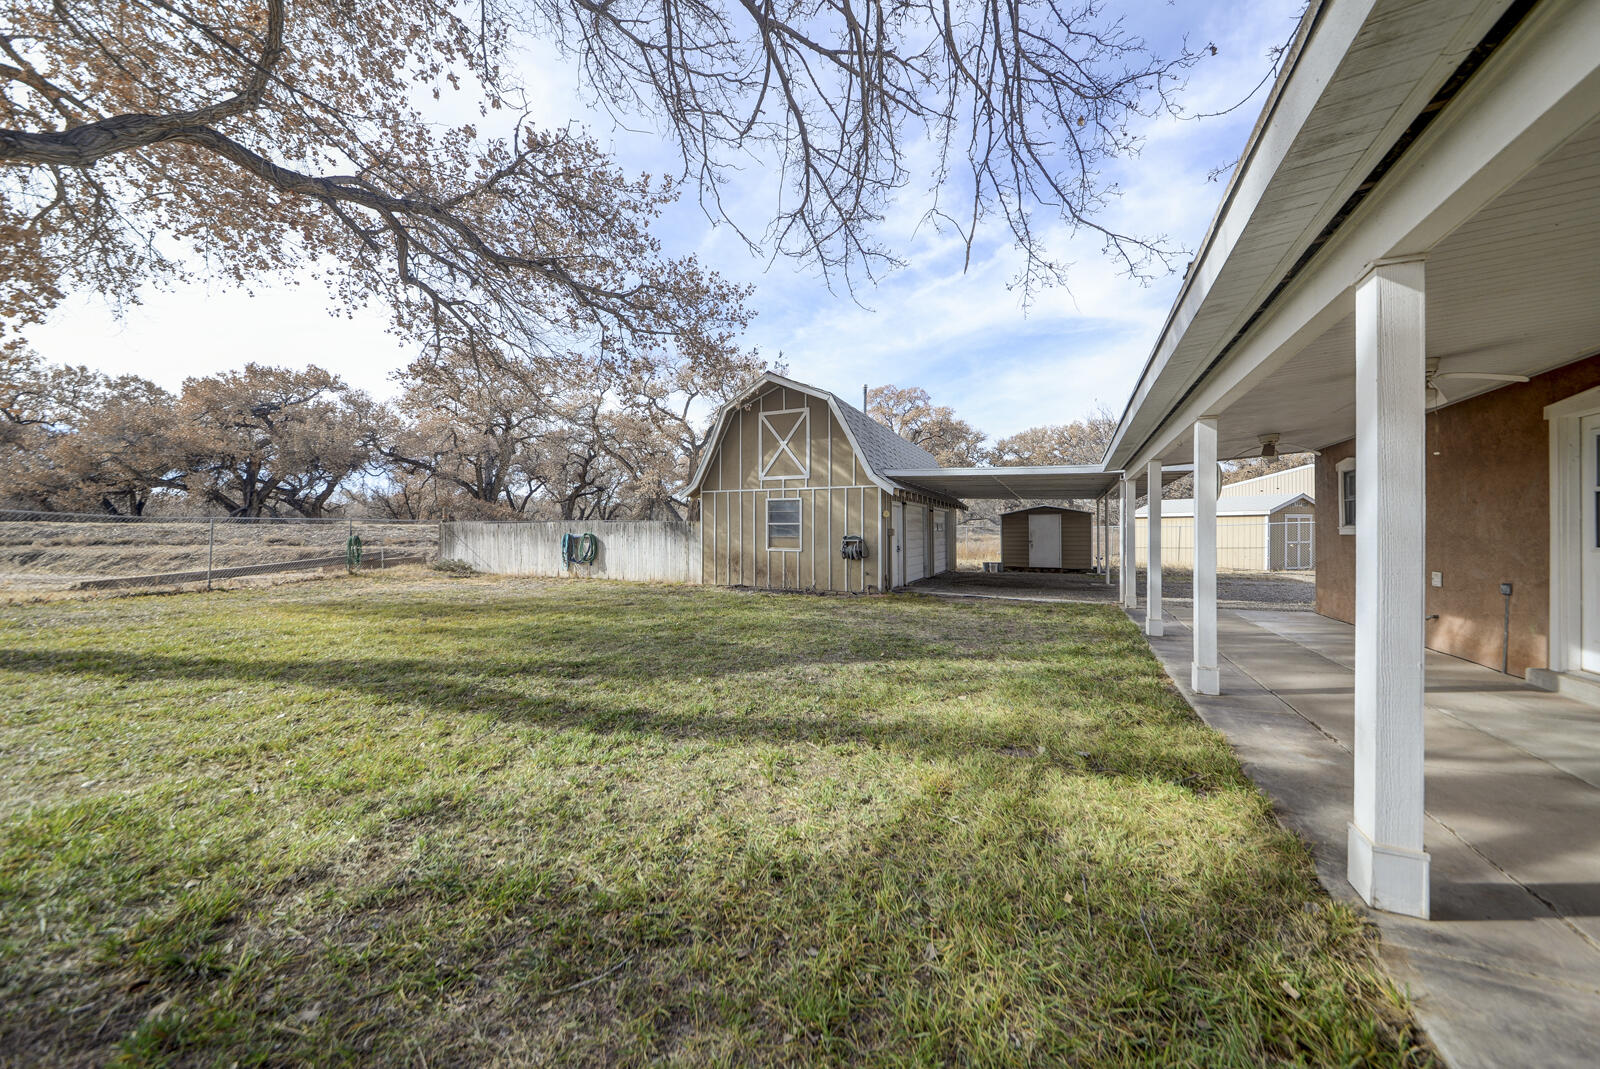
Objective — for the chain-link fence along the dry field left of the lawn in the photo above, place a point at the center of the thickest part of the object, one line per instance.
(55, 551)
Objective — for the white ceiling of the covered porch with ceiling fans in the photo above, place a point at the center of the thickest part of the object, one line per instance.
(1514, 290)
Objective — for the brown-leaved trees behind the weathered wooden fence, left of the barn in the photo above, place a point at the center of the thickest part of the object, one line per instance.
(582, 436)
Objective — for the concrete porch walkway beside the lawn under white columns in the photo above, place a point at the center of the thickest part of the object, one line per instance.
(1508, 972)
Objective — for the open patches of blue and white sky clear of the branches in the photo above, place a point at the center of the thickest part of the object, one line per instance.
(964, 337)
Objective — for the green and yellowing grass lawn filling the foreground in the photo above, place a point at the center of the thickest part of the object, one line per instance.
(436, 822)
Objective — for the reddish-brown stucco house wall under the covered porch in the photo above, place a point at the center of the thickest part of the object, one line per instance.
(1489, 522)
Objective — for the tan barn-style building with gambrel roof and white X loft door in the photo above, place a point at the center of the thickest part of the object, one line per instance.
(794, 497)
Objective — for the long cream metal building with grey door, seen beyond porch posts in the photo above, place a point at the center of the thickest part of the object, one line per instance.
(1273, 532)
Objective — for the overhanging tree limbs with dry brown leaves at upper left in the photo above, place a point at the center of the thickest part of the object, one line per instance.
(270, 137)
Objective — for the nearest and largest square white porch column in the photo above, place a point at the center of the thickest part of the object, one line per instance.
(1386, 859)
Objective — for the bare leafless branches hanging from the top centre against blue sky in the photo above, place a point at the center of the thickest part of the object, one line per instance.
(1018, 103)
